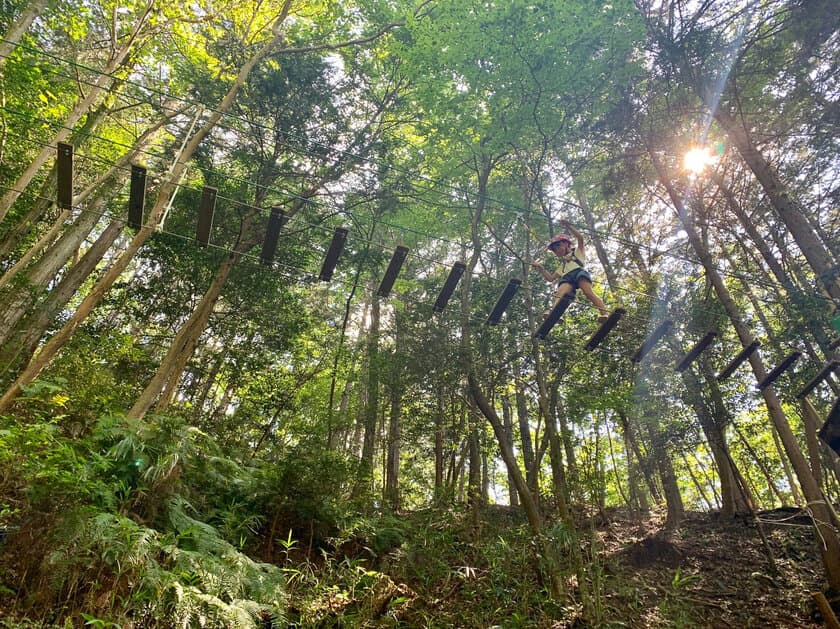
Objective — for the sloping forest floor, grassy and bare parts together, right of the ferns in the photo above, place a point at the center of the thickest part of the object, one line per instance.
(432, 569)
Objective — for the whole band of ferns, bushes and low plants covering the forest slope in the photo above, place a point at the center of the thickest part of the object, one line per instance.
(152, 524)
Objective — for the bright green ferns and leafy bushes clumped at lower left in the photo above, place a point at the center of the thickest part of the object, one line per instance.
(111, 565)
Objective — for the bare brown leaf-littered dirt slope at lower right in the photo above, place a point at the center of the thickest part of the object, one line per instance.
(712, 573)
